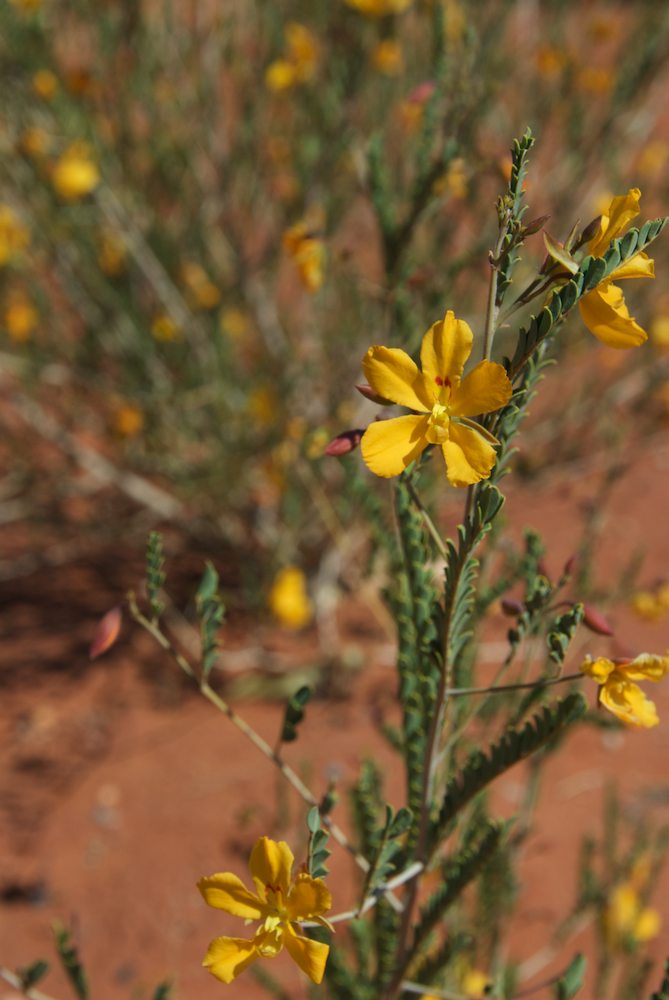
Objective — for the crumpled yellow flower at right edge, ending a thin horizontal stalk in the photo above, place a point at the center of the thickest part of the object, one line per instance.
(617, 691)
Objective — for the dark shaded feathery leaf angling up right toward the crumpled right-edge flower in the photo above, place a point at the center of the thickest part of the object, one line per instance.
(480, 769)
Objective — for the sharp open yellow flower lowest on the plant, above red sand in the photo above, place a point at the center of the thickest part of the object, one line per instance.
(280, 902)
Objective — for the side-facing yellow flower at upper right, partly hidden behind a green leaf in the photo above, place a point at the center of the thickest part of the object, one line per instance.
(603, 310)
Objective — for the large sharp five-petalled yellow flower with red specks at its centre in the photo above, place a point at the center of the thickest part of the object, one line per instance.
(445, 400)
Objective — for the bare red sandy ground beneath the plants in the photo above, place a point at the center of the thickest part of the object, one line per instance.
(119, 790)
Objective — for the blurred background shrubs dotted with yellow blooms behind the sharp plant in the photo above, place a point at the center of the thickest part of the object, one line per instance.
(209, 210)
